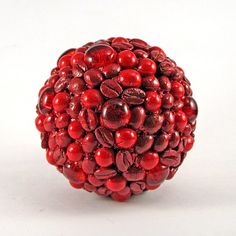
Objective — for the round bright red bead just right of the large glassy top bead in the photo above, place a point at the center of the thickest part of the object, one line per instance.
(127, 59)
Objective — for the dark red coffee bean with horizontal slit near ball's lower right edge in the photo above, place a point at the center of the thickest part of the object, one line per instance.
(170, 158)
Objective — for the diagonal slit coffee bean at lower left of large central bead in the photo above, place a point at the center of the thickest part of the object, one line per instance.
(104, 136)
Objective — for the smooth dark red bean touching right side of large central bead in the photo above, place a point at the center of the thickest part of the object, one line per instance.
(137, 117)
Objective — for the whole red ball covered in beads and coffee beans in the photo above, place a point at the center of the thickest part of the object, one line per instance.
(116, 117)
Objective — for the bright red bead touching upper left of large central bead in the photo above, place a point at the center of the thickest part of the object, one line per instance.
(91, 98)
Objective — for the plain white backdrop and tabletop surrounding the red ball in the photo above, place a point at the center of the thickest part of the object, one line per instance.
(200, 36)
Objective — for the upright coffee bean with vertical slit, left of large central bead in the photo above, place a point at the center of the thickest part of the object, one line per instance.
(88, 119)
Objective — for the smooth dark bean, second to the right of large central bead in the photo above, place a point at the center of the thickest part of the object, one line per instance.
(153, 123)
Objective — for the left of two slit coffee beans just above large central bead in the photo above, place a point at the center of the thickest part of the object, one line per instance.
(111, 88)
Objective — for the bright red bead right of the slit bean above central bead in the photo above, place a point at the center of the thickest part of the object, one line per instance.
(153, 101)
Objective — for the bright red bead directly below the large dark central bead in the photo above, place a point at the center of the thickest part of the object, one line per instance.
(125, 138)
